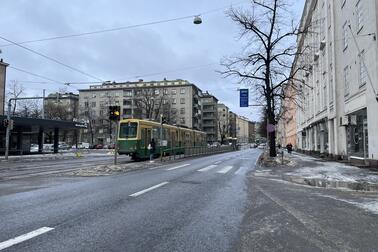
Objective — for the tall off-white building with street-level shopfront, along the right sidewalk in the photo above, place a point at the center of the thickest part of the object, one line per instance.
(338, 113)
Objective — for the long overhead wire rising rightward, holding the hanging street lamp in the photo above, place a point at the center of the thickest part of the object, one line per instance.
(121, 27)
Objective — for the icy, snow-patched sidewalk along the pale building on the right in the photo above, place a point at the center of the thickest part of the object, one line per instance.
(303, 169)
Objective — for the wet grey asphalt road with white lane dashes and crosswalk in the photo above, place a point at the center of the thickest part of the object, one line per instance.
(212, 203)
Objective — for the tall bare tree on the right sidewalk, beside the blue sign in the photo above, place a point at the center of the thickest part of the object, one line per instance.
(266, 62)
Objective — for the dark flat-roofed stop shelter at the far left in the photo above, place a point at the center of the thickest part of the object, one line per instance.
(27, 131)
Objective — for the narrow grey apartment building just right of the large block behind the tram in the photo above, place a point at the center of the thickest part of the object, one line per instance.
(210, 116)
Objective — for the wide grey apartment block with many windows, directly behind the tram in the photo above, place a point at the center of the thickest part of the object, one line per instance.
(177, 100)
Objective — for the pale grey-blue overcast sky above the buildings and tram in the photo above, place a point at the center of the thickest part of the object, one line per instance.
(125, 54)
